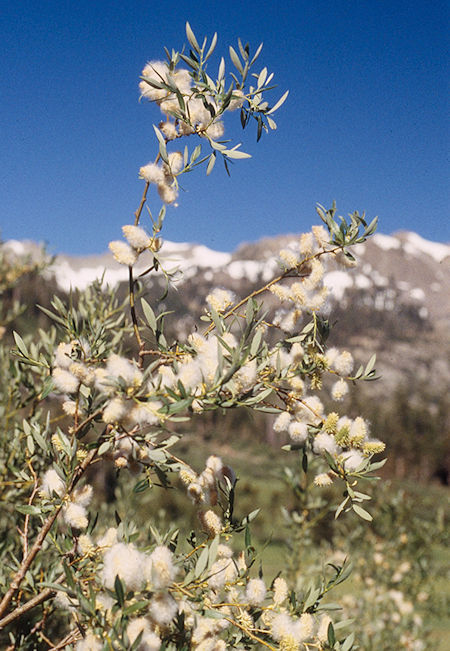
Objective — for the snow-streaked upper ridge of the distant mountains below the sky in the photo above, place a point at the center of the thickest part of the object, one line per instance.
(395, 270)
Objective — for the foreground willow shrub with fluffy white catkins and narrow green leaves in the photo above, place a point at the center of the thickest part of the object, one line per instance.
(74, 403)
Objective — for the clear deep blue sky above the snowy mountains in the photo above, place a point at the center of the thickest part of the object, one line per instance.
(365, 121)
